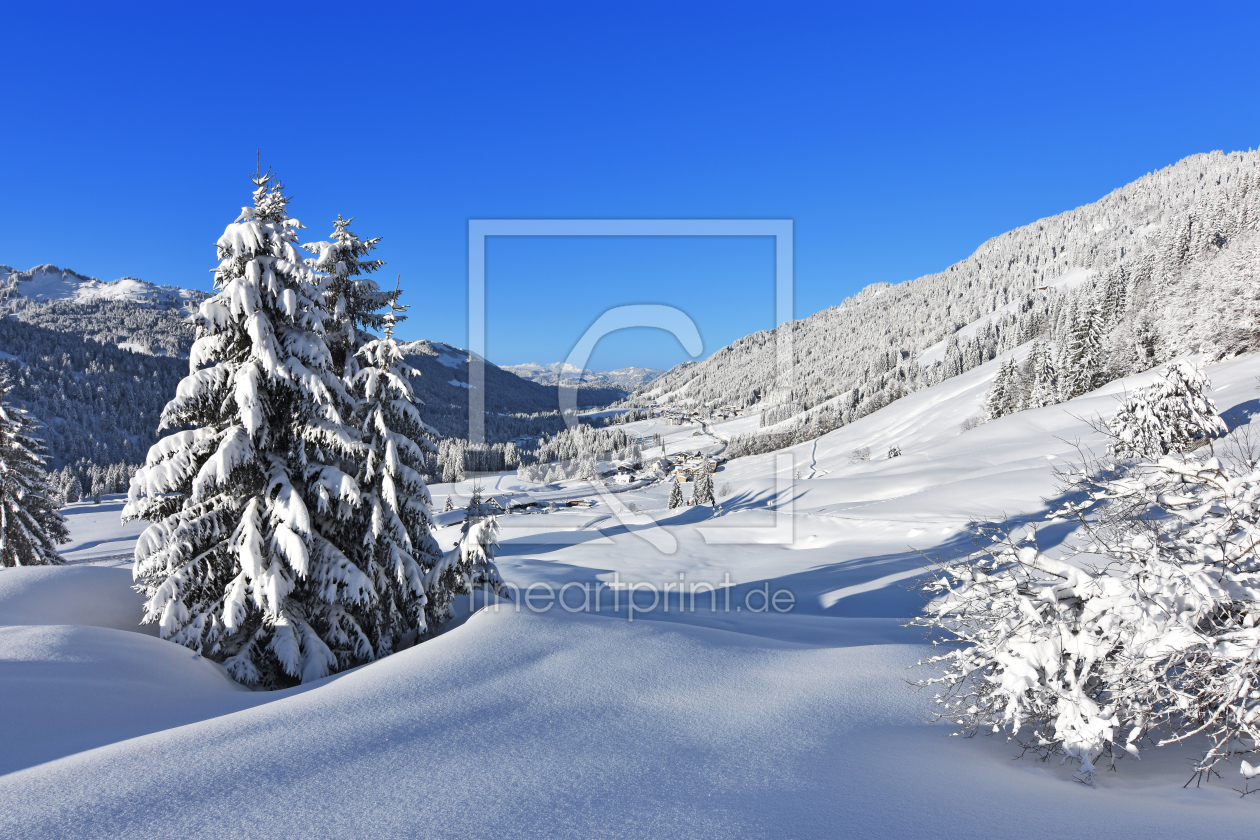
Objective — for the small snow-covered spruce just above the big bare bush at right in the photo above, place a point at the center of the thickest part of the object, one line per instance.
(1175, 415)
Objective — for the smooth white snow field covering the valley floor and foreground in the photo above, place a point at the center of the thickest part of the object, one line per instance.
(575, 721)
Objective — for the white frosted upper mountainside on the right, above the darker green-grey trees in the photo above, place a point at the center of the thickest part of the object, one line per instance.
(1155, 237)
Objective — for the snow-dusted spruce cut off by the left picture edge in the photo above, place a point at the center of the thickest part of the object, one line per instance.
(31, 526)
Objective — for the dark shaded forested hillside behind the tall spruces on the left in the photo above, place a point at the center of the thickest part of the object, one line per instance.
(98, 371)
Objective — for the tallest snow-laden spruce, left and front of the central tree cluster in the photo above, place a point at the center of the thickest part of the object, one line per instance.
(254, 504)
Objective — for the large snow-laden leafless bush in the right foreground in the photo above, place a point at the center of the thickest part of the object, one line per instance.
(1143, 632)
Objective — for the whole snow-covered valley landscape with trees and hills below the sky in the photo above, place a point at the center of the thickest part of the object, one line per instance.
(309, 606)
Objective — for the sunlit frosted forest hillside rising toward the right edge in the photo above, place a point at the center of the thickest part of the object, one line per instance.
(1152, 270)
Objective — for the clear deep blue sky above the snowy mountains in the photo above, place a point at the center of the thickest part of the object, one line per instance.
(898, 137)
